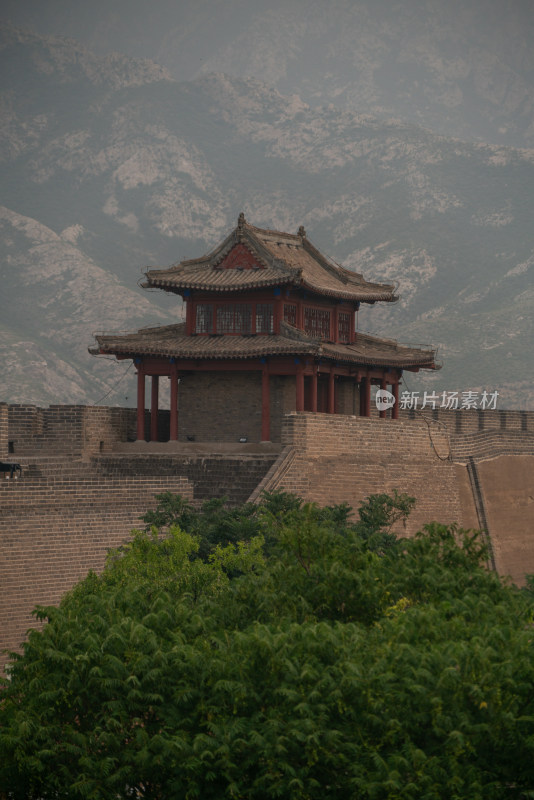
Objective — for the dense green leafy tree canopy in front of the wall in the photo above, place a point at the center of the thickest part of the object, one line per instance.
(278, 650)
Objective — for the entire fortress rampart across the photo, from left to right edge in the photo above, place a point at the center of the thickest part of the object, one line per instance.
(85, 484)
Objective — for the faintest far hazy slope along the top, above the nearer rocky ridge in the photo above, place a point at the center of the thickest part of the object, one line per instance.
(461, 67)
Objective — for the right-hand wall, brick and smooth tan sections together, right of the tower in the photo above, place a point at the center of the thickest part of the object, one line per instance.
(344, 459)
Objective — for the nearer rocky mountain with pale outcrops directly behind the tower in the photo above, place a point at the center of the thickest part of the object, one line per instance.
(108, 164)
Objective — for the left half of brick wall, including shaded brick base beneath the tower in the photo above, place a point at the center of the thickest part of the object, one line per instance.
(61, 518)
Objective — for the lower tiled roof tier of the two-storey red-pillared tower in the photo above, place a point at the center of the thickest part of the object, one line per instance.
(171, 341)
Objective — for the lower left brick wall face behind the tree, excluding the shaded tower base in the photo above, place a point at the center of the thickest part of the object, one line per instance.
(57, 523)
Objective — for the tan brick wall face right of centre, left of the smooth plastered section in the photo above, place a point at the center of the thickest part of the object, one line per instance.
(344, 459)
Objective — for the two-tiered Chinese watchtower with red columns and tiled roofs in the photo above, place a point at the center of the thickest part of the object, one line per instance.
(269, 329)
